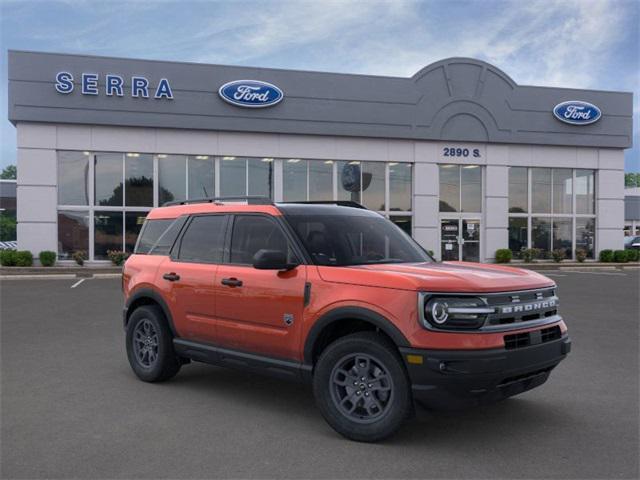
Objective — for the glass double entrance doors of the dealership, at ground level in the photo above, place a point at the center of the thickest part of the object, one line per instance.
(460, 239)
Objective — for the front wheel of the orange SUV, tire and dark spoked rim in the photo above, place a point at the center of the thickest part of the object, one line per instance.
(384, 400)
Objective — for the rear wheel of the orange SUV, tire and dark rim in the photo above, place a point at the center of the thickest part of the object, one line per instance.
(151, 357)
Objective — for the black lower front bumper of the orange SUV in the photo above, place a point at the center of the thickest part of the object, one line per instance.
(460, 378)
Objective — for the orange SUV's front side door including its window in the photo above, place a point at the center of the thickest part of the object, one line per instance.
(259, 310)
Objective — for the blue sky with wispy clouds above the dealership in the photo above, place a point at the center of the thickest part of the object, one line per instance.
(566, 43)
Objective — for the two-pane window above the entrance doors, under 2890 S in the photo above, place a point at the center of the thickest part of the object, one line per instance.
(460, 188)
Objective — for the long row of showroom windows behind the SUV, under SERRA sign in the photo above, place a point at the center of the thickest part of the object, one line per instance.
(108, 212)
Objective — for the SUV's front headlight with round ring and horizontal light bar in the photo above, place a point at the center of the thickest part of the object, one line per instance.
(455, 312)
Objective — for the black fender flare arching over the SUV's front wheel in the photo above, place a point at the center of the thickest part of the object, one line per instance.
(351, 313)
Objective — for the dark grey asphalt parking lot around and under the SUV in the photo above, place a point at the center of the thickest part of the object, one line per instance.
(71, 407)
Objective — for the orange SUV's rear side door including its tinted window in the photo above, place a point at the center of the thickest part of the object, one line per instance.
(188, 276)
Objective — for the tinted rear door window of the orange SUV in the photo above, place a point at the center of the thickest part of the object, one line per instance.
(203, 240)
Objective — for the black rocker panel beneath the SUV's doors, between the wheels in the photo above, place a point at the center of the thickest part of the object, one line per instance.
(223, 357)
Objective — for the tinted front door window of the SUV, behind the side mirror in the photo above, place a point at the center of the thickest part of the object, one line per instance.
(252, 233)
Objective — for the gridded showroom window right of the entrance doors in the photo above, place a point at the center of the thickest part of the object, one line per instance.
(551, 209)
